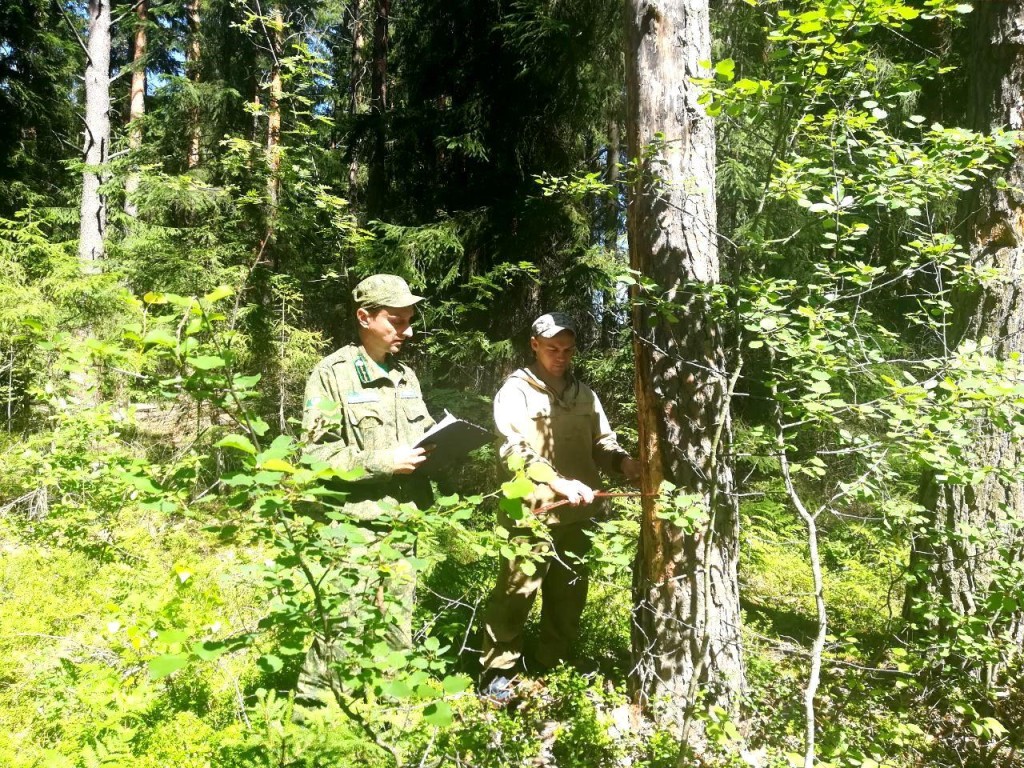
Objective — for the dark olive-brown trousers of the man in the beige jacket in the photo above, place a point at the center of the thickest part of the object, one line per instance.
(564, 581)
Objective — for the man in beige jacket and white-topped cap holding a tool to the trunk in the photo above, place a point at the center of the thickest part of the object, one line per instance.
(548, 417)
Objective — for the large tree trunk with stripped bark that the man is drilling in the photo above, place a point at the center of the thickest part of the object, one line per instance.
(687, 595)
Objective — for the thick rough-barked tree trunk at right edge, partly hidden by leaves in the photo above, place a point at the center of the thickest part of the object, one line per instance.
(950, 560)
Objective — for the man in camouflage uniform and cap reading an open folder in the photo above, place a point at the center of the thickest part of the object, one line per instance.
(365, 411)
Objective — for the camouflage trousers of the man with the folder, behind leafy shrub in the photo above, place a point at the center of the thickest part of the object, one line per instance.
(365, 602)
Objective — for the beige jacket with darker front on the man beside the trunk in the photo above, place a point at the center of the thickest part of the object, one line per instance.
(570, 434)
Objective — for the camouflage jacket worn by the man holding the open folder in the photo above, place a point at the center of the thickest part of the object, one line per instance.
(356, 416)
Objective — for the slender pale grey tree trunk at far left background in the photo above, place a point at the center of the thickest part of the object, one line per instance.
(98, 136)
